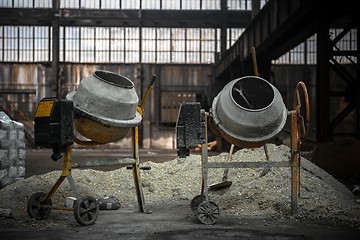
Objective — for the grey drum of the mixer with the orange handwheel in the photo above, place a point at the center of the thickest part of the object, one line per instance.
(248, 112)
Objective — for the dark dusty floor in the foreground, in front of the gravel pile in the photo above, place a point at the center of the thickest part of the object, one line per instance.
(176, 222)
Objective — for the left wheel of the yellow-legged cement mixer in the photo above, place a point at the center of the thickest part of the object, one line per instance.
(34, 208)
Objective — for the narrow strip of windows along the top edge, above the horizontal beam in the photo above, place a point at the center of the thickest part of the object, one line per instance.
(132, 4)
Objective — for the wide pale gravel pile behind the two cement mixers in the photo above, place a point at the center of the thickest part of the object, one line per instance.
(178, 181)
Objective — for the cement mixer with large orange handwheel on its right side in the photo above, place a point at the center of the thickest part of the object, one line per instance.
(248, 112)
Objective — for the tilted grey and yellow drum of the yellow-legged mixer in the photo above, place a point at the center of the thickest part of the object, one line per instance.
(105, 107)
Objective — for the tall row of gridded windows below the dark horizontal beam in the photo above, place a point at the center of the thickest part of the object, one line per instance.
(134, 45)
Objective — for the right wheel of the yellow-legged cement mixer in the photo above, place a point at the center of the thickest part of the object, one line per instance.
(86, 210)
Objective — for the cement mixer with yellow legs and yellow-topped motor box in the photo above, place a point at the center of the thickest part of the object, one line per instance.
(102, 110)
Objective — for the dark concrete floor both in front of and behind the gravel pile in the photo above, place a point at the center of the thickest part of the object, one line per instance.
(168, 221)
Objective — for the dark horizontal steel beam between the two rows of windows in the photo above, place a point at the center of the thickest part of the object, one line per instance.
(124, 17)
